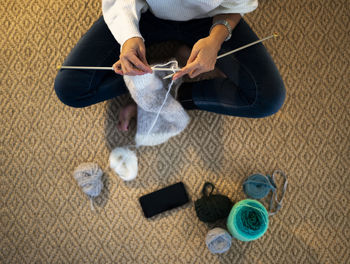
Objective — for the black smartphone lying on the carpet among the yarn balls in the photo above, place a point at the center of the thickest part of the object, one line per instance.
(164, 199)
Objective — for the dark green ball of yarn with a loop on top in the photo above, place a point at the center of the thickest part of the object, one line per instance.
(211, 208)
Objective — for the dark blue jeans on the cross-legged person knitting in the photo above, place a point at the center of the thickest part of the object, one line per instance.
(254, 87)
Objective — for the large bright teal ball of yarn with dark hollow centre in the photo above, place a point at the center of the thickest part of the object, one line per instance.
(248, 220)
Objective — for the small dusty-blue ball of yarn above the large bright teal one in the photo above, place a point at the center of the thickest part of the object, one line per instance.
(257, 186)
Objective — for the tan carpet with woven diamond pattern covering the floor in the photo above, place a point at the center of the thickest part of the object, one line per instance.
(46, 218)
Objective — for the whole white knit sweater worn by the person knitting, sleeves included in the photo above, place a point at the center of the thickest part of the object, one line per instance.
(122, 16)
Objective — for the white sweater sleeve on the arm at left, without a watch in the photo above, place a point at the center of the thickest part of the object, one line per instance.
(122, 18)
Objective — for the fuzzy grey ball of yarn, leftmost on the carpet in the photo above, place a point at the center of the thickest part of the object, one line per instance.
(88, 176)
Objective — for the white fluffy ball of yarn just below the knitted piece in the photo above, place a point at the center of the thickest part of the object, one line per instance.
(124, 162)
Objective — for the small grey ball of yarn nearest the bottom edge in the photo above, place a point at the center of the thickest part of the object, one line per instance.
(218, 240)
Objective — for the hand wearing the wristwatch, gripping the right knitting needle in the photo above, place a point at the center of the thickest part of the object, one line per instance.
(202, 58)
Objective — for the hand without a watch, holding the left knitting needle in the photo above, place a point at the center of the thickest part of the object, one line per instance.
(132, 59)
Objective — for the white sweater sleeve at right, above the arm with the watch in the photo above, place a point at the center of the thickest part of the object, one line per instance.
(235, 6)
